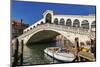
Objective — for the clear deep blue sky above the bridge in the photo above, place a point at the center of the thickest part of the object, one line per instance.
(31, 12)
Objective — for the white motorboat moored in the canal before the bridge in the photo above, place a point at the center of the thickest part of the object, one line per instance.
(60, 54)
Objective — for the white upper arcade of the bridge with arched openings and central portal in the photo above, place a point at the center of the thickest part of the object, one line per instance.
(87, 22)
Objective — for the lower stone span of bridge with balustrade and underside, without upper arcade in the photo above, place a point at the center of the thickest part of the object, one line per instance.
(47, 30)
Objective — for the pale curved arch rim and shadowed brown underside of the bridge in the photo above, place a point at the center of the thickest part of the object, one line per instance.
(47, 33)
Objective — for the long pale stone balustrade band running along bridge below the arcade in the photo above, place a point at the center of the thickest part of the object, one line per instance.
(60, 28)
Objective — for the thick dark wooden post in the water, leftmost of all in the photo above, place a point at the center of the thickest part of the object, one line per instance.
(15, 63)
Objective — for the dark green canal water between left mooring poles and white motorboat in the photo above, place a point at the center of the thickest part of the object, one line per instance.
(34, 54)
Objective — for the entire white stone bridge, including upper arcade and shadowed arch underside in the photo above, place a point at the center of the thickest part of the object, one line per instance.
(52, 25)
